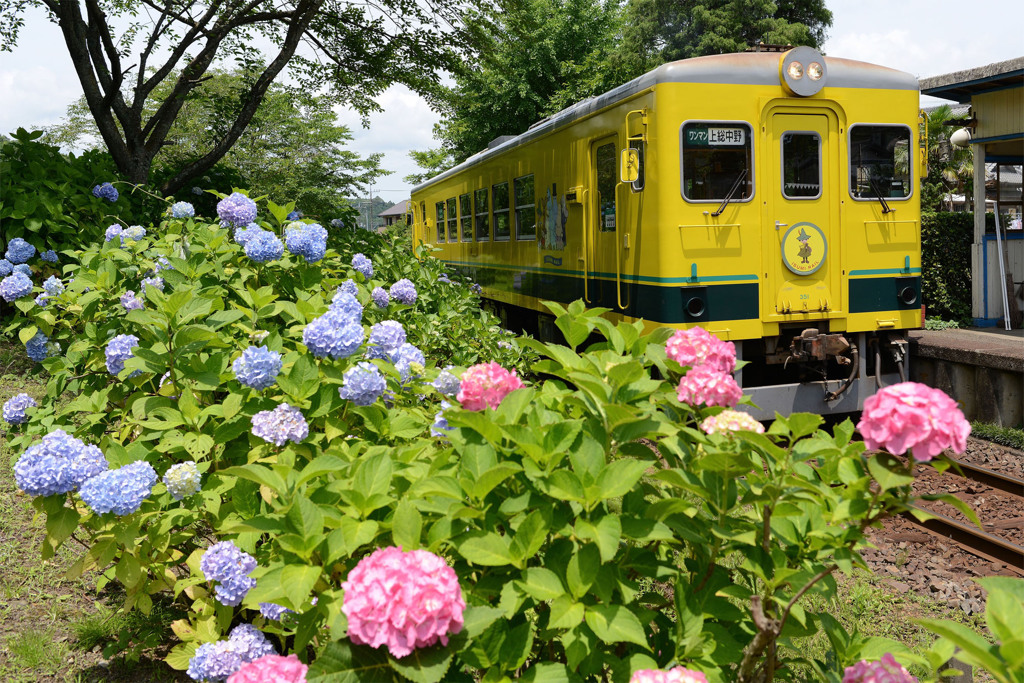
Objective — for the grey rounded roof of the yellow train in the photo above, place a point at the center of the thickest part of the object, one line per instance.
(735, 69)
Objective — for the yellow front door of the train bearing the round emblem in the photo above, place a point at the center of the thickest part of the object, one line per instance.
(802, 266)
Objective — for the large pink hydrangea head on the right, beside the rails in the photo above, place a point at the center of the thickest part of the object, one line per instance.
(915, 417)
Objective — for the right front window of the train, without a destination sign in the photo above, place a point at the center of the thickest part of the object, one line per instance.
(880, 162)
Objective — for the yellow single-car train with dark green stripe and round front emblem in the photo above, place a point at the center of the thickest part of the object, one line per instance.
(769, 197)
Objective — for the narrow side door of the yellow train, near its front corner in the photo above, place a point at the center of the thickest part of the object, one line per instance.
(604, 264)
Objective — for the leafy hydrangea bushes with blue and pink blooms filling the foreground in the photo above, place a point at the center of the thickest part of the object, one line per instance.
(274, 454)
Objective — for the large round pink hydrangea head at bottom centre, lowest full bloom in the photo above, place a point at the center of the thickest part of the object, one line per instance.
(403, 601)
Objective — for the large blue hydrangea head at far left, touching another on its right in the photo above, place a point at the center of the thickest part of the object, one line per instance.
(58, 464)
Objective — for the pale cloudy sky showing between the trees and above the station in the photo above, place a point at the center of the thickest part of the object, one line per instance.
(38, 82)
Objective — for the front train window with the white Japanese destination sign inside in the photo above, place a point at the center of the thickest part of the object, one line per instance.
(716, 156)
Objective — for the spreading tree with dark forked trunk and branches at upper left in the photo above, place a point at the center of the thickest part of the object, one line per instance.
(352, 53)
